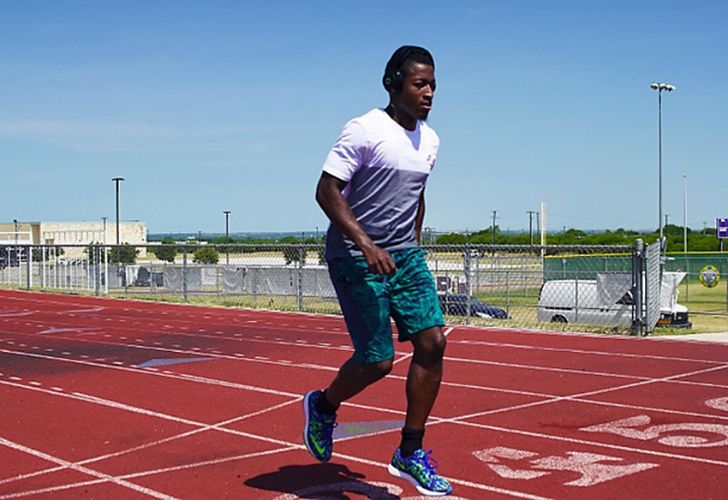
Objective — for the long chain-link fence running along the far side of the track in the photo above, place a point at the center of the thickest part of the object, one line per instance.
(594, 288)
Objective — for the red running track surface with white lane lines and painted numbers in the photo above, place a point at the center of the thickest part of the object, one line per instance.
(123, 399)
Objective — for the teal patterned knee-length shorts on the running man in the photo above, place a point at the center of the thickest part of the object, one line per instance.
(369, 301)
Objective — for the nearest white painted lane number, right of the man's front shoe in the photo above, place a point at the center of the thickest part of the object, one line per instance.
(591, 467)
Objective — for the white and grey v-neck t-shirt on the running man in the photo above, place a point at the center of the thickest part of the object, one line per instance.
(386, 168)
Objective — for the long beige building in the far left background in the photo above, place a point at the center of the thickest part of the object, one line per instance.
(72, 233)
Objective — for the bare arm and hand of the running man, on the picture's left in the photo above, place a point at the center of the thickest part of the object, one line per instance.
(337, 209)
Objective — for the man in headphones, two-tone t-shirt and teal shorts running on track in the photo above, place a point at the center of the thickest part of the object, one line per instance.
(373, 191)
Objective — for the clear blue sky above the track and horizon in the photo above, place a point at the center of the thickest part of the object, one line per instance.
(205, 106)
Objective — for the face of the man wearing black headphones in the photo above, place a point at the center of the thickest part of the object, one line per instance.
(414, 101)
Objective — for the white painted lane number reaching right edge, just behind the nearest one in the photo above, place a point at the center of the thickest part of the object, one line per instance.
(687, 435)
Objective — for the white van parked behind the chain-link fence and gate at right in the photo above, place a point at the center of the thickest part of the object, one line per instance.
(607, 301)
